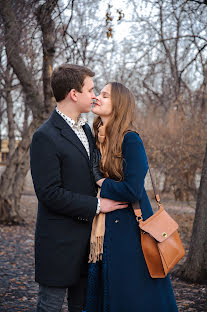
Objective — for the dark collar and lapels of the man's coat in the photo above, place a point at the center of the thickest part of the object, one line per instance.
(70, 135)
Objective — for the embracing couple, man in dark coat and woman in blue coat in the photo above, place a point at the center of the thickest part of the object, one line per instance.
(87, 241)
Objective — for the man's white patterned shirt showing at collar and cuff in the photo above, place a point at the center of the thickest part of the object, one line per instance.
(77, 128)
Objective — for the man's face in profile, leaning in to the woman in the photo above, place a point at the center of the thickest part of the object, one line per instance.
(85, 98)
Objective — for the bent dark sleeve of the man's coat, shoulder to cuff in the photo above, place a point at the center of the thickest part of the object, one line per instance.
(45, 170)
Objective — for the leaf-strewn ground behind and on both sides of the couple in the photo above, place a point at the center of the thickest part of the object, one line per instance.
(18, 291)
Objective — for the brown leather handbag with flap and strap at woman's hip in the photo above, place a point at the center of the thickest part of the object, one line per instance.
(161, 244)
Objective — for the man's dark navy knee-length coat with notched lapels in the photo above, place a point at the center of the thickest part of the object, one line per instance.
(66, 192)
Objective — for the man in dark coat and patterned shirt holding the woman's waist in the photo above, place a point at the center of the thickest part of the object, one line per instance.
(62, 172)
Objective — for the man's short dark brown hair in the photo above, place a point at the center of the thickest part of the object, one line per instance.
(67, 77)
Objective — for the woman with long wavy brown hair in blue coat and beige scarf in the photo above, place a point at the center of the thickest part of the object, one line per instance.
(119, 280)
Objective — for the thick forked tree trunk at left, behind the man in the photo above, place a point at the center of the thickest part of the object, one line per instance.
(12, 180)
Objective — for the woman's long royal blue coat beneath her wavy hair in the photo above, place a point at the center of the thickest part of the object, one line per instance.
(122, 278)
